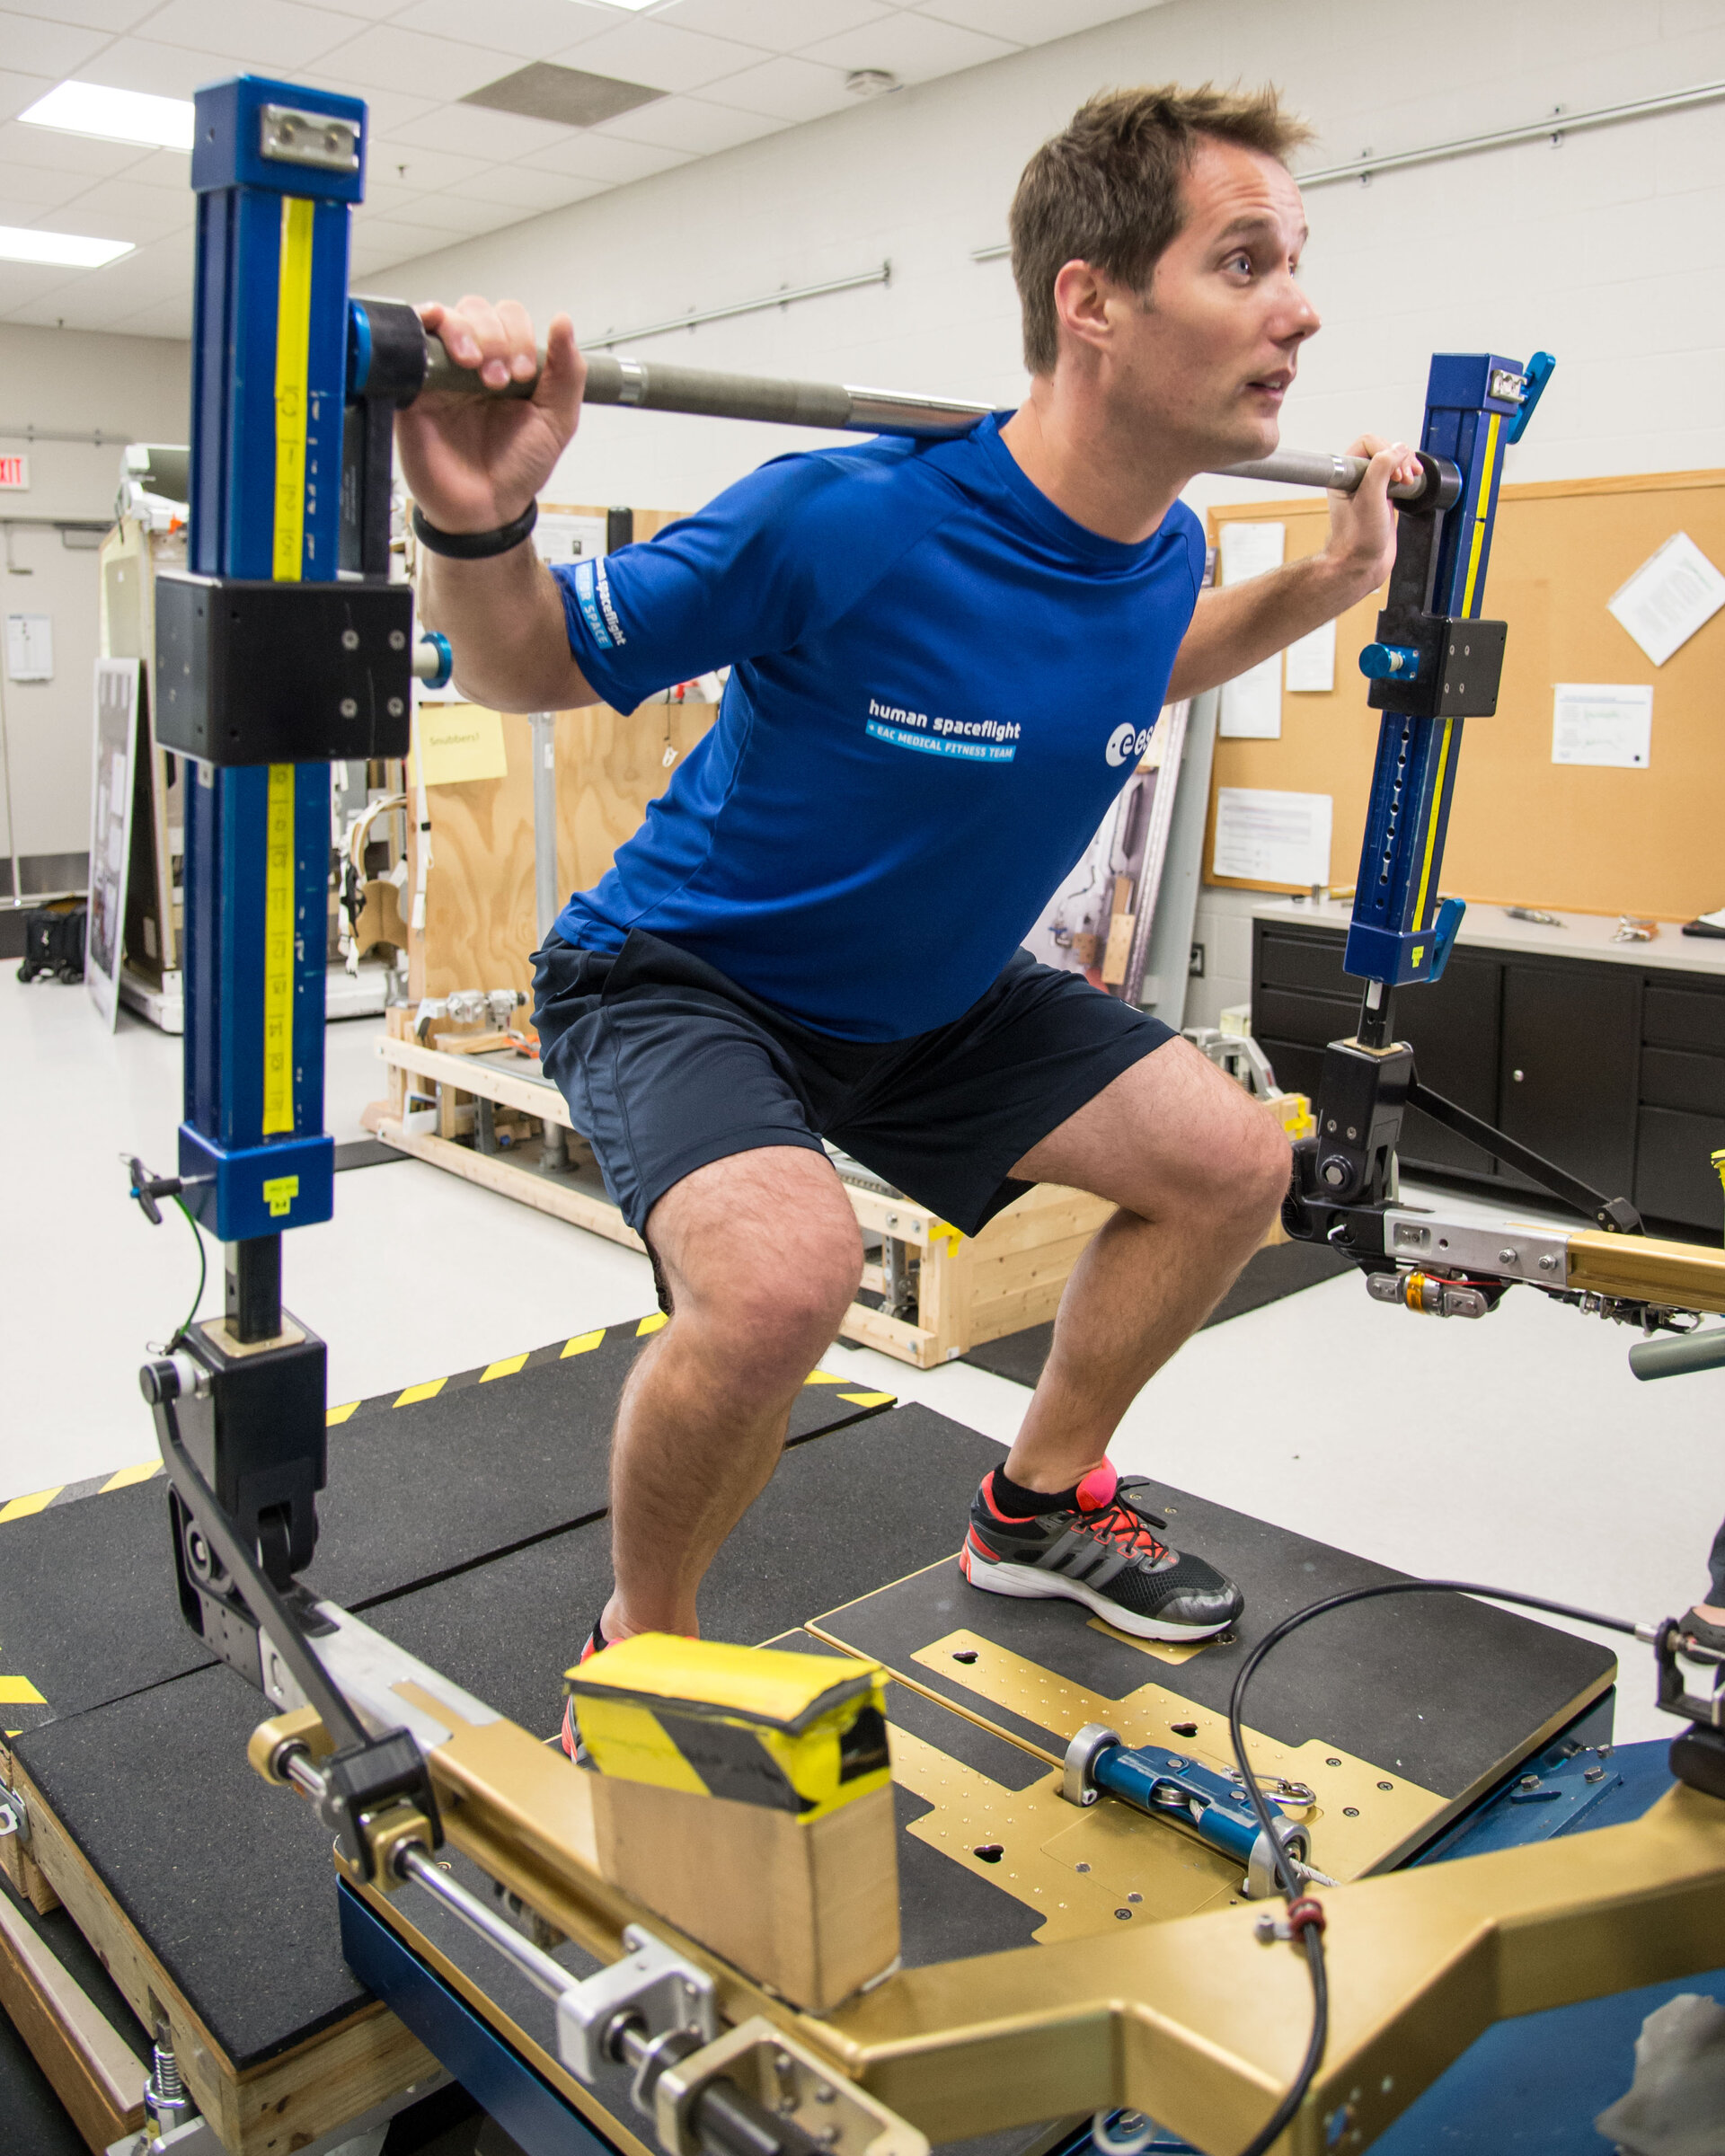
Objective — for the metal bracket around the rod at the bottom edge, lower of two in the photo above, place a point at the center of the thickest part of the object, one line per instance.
(788, 2082)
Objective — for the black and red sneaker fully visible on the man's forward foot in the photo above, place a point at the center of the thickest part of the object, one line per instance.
(1107, 1553)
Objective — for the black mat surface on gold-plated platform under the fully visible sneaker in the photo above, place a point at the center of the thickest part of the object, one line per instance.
(1435, 1687)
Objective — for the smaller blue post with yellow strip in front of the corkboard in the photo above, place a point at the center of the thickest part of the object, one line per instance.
(1472, 404)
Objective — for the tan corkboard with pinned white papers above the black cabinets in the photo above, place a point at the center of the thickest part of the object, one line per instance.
(1526, 831)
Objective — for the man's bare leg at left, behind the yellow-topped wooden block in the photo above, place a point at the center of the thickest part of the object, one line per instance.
(762, 1258)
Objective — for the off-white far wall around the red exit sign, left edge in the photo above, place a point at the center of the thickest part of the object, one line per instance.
(68, 381)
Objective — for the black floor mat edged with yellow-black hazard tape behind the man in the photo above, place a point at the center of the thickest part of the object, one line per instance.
(424, 1482)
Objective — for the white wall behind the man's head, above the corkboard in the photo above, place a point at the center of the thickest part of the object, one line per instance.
(1607, 249)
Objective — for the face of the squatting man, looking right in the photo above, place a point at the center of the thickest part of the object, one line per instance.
(1213, 353)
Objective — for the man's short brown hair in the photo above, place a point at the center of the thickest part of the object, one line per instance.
(1107, 189)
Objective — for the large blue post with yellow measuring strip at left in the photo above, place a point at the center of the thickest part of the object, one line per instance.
(277, 171)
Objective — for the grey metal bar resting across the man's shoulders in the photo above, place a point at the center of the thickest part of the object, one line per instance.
(838, 406)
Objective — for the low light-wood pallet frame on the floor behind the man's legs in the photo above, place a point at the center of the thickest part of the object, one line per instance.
(965, 1288)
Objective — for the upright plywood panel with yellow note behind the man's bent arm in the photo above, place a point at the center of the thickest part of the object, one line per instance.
(480, 911)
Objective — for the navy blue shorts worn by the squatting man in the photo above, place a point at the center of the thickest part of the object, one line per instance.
(667, 1066)
